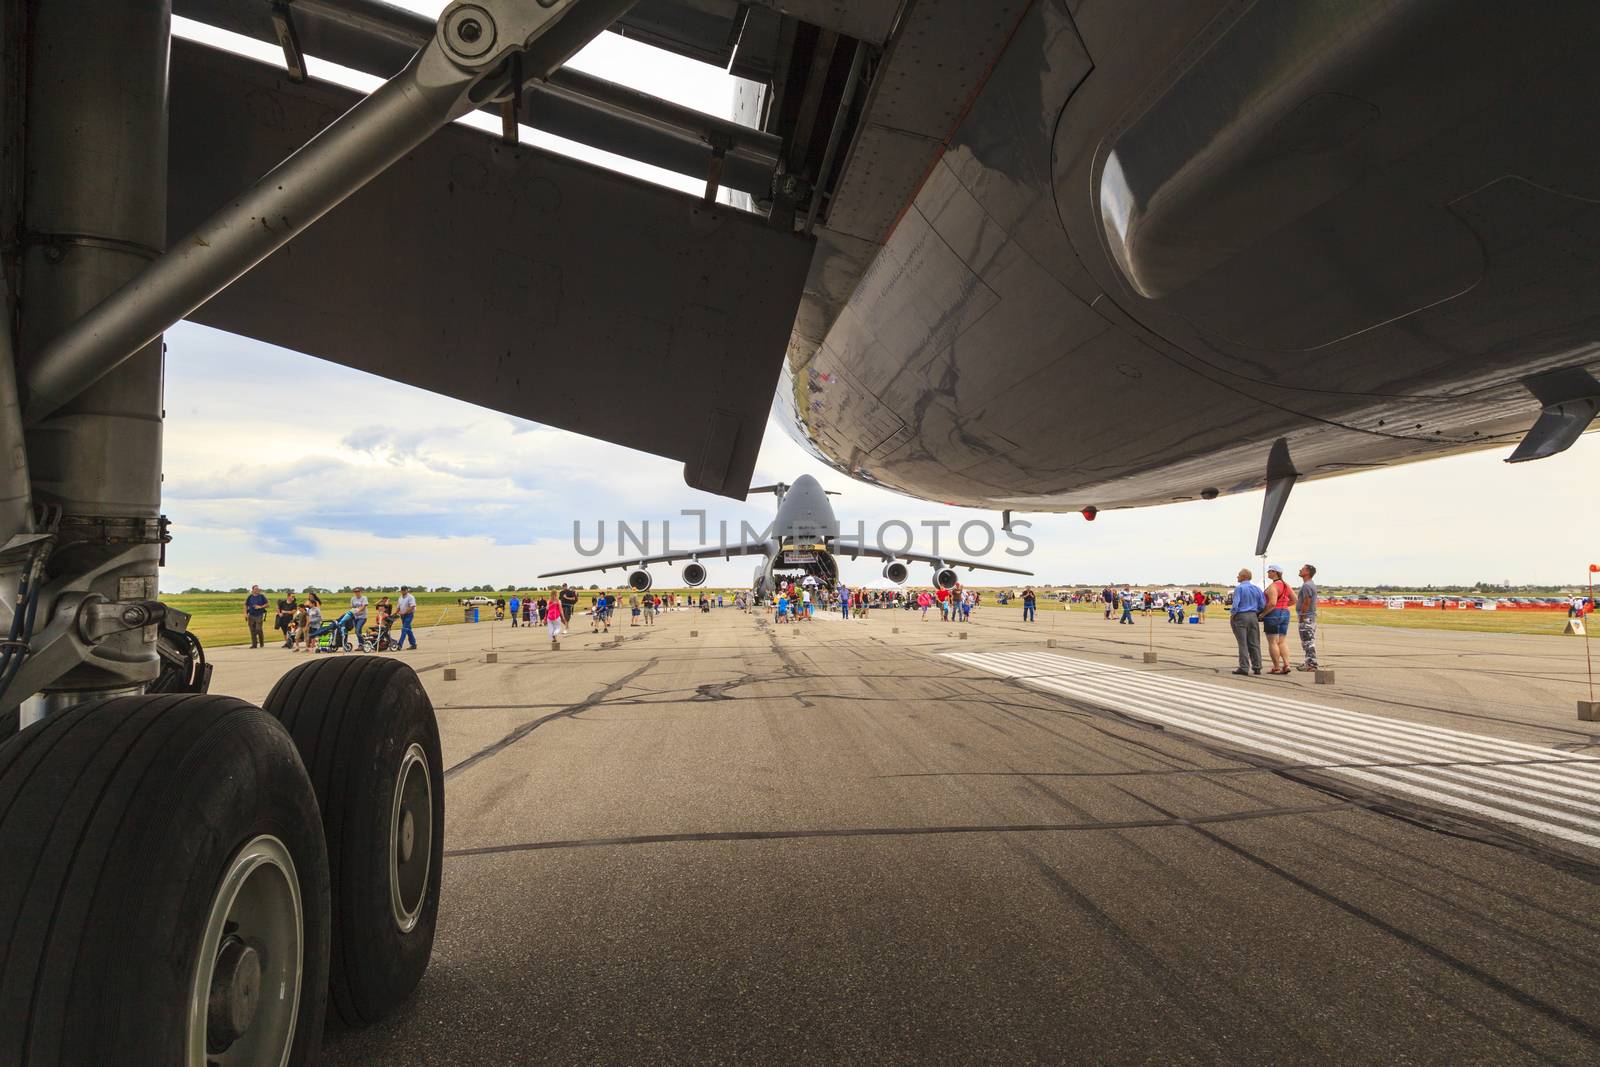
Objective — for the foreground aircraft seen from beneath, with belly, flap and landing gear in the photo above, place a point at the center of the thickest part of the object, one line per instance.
(1042, 255)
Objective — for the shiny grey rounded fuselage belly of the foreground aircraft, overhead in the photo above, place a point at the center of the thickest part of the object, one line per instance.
(1166, 236)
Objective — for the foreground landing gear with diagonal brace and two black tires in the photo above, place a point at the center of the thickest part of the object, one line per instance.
(186, 879)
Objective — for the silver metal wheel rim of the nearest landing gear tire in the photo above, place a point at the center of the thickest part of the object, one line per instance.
(244, 999)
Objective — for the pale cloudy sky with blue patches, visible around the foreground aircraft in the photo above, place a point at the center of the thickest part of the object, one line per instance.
(284, 470)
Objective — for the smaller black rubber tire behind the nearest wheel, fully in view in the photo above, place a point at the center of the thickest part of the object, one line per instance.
(354, 717)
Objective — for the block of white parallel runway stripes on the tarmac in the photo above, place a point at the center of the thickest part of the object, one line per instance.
(1534, 788)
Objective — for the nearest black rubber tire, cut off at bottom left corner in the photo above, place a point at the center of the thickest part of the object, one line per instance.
(118, 821)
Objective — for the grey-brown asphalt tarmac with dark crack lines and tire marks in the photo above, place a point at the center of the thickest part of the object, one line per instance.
(836, 844)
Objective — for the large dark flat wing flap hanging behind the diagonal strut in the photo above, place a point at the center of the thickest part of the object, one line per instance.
(503, 276)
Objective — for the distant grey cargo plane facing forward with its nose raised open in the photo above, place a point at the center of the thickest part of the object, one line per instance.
(802, 543)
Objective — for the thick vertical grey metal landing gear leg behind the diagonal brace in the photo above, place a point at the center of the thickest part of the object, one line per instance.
(94, 135)
